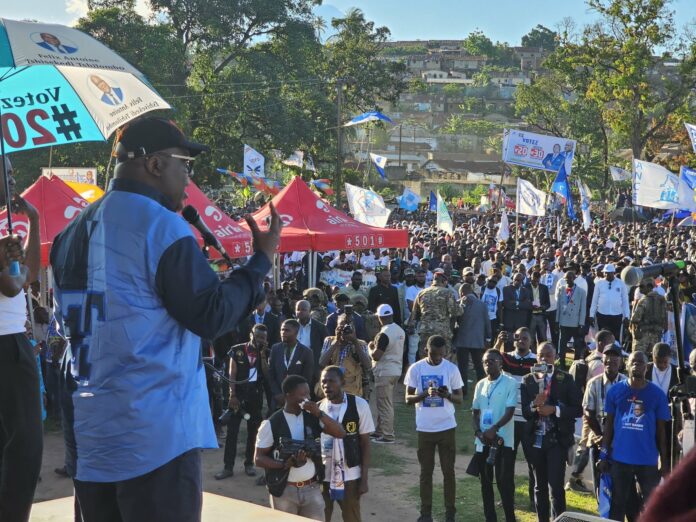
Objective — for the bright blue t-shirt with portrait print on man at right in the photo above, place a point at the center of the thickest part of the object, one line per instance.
(636, 413)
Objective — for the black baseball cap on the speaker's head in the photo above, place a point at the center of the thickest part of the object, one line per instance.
(149, 135)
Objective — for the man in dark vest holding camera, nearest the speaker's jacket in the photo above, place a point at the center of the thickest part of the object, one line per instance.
(248, 370)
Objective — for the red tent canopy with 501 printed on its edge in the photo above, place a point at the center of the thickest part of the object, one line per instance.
(309, 223)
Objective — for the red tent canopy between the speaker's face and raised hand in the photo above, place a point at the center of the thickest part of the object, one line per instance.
(234, 240)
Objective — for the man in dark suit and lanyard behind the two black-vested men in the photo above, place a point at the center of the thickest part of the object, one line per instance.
(288, 357)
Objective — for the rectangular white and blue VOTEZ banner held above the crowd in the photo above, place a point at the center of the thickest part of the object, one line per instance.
(538, 151)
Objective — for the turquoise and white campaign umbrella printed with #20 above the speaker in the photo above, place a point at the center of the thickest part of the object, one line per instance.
(59, 86)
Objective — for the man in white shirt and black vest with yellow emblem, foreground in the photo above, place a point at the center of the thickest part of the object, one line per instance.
(345, 480)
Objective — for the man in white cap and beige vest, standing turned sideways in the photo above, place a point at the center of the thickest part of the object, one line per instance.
(386, 351)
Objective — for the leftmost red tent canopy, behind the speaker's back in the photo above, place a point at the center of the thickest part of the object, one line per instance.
(57, 204)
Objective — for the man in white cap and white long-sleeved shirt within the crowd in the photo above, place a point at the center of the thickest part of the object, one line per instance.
(610, 307)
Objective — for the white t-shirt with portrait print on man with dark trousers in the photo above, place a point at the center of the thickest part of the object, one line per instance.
(434, 413)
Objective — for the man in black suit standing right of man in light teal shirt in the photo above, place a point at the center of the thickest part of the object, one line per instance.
(550, 402)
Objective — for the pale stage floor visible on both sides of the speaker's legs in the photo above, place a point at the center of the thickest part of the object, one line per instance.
(215, 508)
